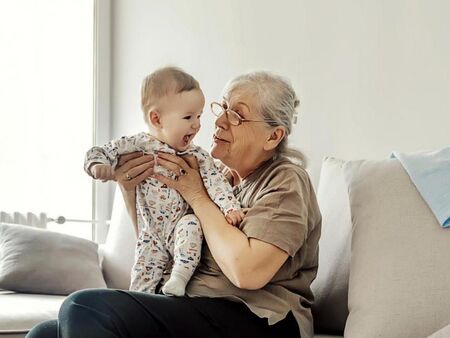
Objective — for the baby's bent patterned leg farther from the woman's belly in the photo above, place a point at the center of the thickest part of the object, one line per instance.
(150, 261)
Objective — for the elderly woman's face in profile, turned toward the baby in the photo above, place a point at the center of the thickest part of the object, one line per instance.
(240, 146)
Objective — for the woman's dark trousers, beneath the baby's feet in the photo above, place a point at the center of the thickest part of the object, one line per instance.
(101, 313)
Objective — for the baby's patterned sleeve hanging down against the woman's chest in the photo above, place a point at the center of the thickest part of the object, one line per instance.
(216, 184)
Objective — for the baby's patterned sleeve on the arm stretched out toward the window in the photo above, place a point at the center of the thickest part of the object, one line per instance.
(109, 153)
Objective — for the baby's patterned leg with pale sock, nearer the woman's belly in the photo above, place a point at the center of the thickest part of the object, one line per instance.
(187, 245)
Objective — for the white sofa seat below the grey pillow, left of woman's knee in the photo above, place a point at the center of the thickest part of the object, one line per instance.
(19, 312)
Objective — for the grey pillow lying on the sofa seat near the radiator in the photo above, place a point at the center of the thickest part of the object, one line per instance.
(42, 261)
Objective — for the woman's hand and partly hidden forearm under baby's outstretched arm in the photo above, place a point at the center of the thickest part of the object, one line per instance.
(138, 167)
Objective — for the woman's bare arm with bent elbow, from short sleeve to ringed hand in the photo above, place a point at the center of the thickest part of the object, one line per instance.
(247, 263)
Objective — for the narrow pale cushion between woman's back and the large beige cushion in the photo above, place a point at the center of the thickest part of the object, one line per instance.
(331, 284)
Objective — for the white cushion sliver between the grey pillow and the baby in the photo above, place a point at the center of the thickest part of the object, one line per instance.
(118, 251)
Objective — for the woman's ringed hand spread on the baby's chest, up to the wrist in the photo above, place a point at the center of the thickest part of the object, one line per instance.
(187, 180)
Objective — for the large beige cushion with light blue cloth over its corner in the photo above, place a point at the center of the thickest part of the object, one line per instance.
(400, 270)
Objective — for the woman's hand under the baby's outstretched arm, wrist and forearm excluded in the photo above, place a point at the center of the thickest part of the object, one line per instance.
(133, 169)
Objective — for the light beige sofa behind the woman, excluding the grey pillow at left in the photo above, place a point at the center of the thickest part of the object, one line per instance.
(383, 271)
